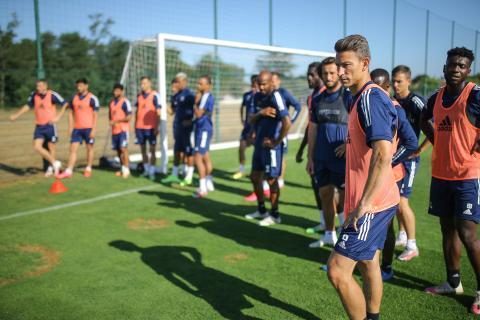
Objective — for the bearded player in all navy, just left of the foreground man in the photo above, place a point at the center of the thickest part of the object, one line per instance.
(327, 133)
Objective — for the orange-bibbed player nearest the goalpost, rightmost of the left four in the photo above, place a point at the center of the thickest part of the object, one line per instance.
(147, 117)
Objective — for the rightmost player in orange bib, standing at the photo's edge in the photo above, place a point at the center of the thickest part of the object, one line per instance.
(455, 187)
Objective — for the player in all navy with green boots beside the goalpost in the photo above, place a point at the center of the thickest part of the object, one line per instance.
(182, 104)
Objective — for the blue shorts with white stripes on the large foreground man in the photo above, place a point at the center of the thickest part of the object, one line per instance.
(370, 237)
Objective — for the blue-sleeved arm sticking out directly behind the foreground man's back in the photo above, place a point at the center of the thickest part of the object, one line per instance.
(408, 141)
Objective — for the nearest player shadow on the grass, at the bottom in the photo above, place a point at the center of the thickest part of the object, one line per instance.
(183, 267)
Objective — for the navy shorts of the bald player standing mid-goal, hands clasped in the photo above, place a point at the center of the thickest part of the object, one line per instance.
(268, 160)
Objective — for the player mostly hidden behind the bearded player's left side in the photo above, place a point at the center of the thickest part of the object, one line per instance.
(316, 84)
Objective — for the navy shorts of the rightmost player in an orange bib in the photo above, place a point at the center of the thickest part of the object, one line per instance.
(459, 198)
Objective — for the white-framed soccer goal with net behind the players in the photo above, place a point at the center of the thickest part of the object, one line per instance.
(229, 64)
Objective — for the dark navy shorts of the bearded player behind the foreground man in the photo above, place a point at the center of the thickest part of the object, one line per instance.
(330, 173)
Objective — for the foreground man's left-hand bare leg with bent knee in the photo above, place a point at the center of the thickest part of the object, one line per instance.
(340, 274)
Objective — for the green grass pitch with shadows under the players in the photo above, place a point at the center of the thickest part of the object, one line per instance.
(154, 252)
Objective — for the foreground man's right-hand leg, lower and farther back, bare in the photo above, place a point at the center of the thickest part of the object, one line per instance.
(372, 285)
